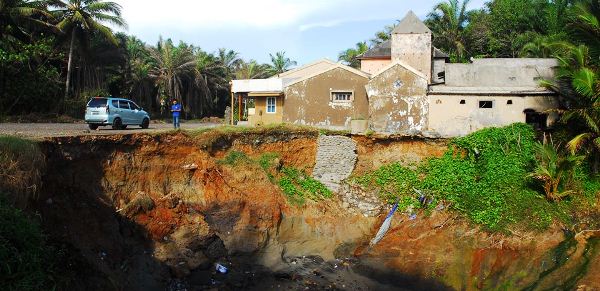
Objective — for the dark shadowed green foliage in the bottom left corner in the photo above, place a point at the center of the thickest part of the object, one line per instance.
(23, 264)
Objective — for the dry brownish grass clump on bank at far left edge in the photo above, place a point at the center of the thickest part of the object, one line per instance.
(21, 165)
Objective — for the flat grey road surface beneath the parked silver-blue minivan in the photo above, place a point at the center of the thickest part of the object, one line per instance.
(42, 130)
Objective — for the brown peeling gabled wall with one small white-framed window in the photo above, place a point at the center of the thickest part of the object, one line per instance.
(309, 102)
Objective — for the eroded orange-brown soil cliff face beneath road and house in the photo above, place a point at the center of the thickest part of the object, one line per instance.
(158, 212)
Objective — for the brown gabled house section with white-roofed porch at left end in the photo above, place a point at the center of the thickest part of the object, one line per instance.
(323, 93)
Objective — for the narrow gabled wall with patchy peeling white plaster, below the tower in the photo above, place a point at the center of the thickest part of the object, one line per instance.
(398, 101)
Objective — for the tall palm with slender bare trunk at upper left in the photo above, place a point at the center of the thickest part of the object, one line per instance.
(80, 18)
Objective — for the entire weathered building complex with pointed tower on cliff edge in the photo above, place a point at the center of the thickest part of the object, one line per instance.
(406, 86)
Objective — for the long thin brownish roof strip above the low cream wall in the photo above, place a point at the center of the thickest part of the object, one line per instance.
(523, 91)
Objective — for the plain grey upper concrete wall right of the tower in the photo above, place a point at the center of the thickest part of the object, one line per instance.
(500, 73)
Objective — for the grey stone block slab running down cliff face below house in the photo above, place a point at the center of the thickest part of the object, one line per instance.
(336, 158)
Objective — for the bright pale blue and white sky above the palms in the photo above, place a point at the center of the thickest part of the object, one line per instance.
(307, 30)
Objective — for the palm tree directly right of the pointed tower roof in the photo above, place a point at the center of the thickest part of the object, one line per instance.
(448, 21)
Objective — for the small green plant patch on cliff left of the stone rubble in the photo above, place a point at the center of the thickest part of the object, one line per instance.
(298, 186)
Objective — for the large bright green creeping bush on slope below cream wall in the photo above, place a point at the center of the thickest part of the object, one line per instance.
(483, 175)
